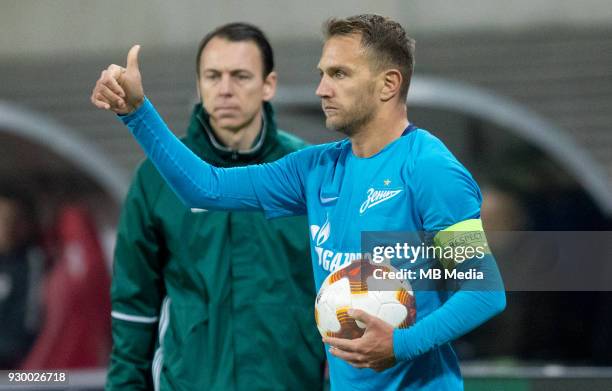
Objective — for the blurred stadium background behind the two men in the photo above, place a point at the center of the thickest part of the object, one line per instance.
(520, 91)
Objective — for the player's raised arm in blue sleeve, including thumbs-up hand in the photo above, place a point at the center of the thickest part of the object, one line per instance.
(197, 183)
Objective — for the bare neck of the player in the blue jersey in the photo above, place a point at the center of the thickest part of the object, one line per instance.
(384, 128)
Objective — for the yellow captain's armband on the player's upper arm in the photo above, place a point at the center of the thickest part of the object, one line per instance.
(460, 242)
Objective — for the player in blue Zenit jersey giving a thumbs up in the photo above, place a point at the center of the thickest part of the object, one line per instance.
(365, 67)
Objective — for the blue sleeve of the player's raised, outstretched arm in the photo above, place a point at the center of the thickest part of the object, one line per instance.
(276, 187)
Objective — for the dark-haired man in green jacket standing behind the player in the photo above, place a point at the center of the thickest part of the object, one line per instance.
(216, 300)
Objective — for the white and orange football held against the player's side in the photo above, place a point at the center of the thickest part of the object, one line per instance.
(392, 301)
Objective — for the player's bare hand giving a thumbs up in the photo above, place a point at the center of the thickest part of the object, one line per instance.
(119, 89)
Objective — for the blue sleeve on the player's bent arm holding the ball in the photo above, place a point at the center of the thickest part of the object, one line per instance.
(445, 194)
